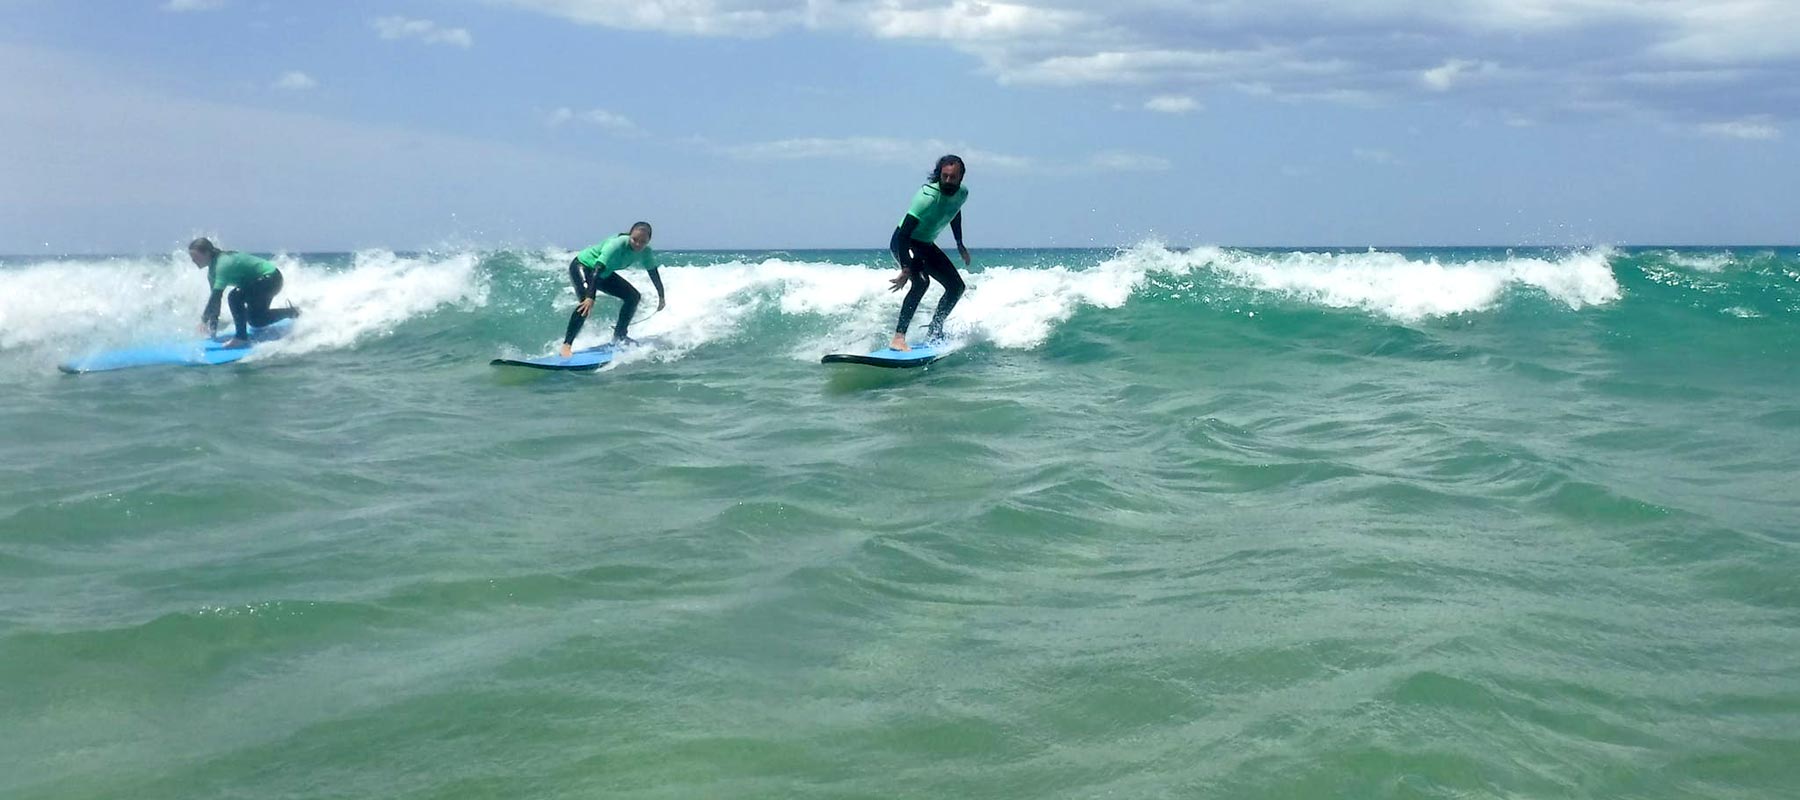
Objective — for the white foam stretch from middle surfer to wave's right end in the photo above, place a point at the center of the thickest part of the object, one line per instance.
(1020, 307)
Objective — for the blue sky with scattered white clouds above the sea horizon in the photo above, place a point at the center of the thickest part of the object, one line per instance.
(130, 127)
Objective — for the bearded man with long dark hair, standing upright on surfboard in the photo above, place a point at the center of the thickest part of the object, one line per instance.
(939, 203)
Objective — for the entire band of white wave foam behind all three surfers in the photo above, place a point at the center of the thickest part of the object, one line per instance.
(75, 305)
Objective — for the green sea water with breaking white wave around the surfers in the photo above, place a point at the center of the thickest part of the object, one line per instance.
(1173, 523)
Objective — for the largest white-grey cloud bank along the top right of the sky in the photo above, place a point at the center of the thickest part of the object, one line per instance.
(1558, 55)
